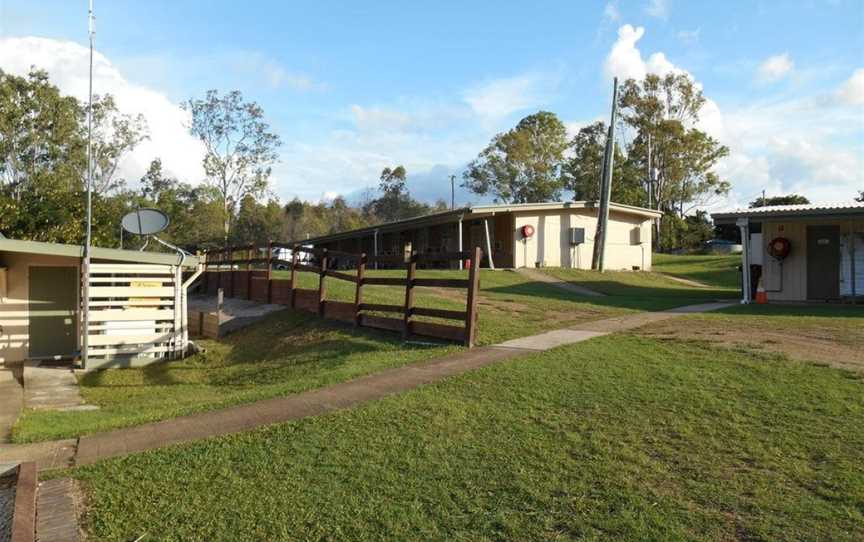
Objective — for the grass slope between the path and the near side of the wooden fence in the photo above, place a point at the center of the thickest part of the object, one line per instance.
(288, 352)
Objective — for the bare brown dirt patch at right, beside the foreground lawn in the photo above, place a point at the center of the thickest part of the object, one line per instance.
(829, 343)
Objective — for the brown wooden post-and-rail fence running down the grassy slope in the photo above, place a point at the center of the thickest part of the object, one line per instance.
(233, 270)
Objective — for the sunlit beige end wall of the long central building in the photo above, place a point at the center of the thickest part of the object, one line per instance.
(550, 243)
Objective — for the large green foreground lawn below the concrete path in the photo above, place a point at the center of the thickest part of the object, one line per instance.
(620, 437)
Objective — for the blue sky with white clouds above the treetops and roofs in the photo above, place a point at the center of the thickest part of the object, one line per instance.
(354, 87)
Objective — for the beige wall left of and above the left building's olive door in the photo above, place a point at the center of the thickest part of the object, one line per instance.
(14, 309)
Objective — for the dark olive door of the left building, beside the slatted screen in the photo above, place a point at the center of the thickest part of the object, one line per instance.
(53, 303)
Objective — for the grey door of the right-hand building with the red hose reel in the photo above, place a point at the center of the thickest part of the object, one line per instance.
(823, 262)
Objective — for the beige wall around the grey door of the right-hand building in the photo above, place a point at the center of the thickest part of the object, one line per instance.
(793, 284)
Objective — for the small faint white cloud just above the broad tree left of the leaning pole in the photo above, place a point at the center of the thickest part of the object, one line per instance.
(502, 97)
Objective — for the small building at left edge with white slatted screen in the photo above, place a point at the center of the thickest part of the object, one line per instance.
(136, 304)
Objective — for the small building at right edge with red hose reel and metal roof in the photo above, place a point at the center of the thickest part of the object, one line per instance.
(801, 252)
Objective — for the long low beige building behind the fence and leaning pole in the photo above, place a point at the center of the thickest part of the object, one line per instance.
(553, 234)
